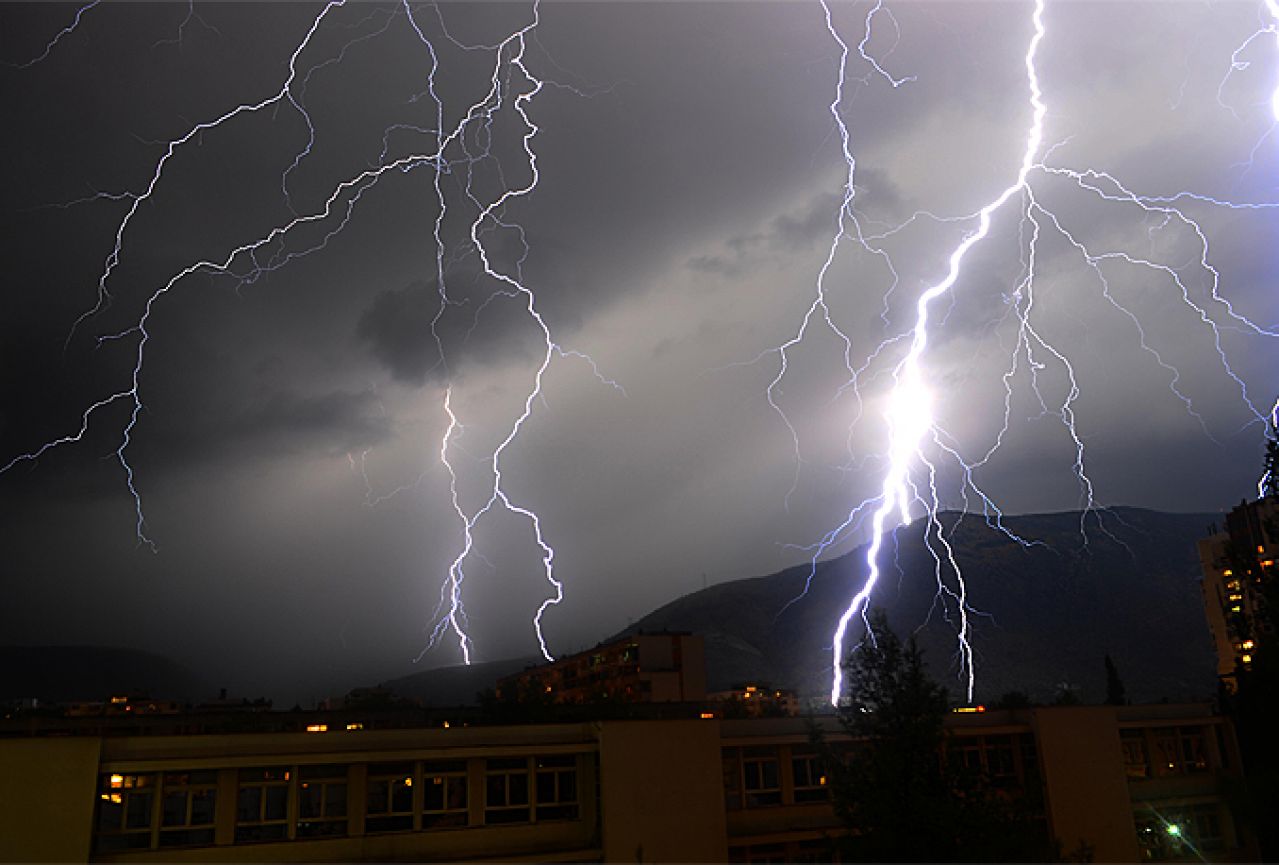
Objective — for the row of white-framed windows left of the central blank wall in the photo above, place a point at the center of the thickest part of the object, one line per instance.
(178, 809)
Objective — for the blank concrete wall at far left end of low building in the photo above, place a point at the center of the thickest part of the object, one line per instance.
(48, 789)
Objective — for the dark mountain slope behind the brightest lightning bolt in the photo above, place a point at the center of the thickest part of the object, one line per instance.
(1129, 587)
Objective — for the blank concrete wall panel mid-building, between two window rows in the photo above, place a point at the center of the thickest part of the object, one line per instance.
(663, 793)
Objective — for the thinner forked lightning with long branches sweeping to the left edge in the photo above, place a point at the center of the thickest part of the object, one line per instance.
(512, 86)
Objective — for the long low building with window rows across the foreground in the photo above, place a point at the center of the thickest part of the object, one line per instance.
(1129, 782)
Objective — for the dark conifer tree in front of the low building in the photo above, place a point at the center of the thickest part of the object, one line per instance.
(897, 793)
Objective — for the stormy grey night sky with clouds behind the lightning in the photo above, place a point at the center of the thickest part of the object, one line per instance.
(690, 179)
